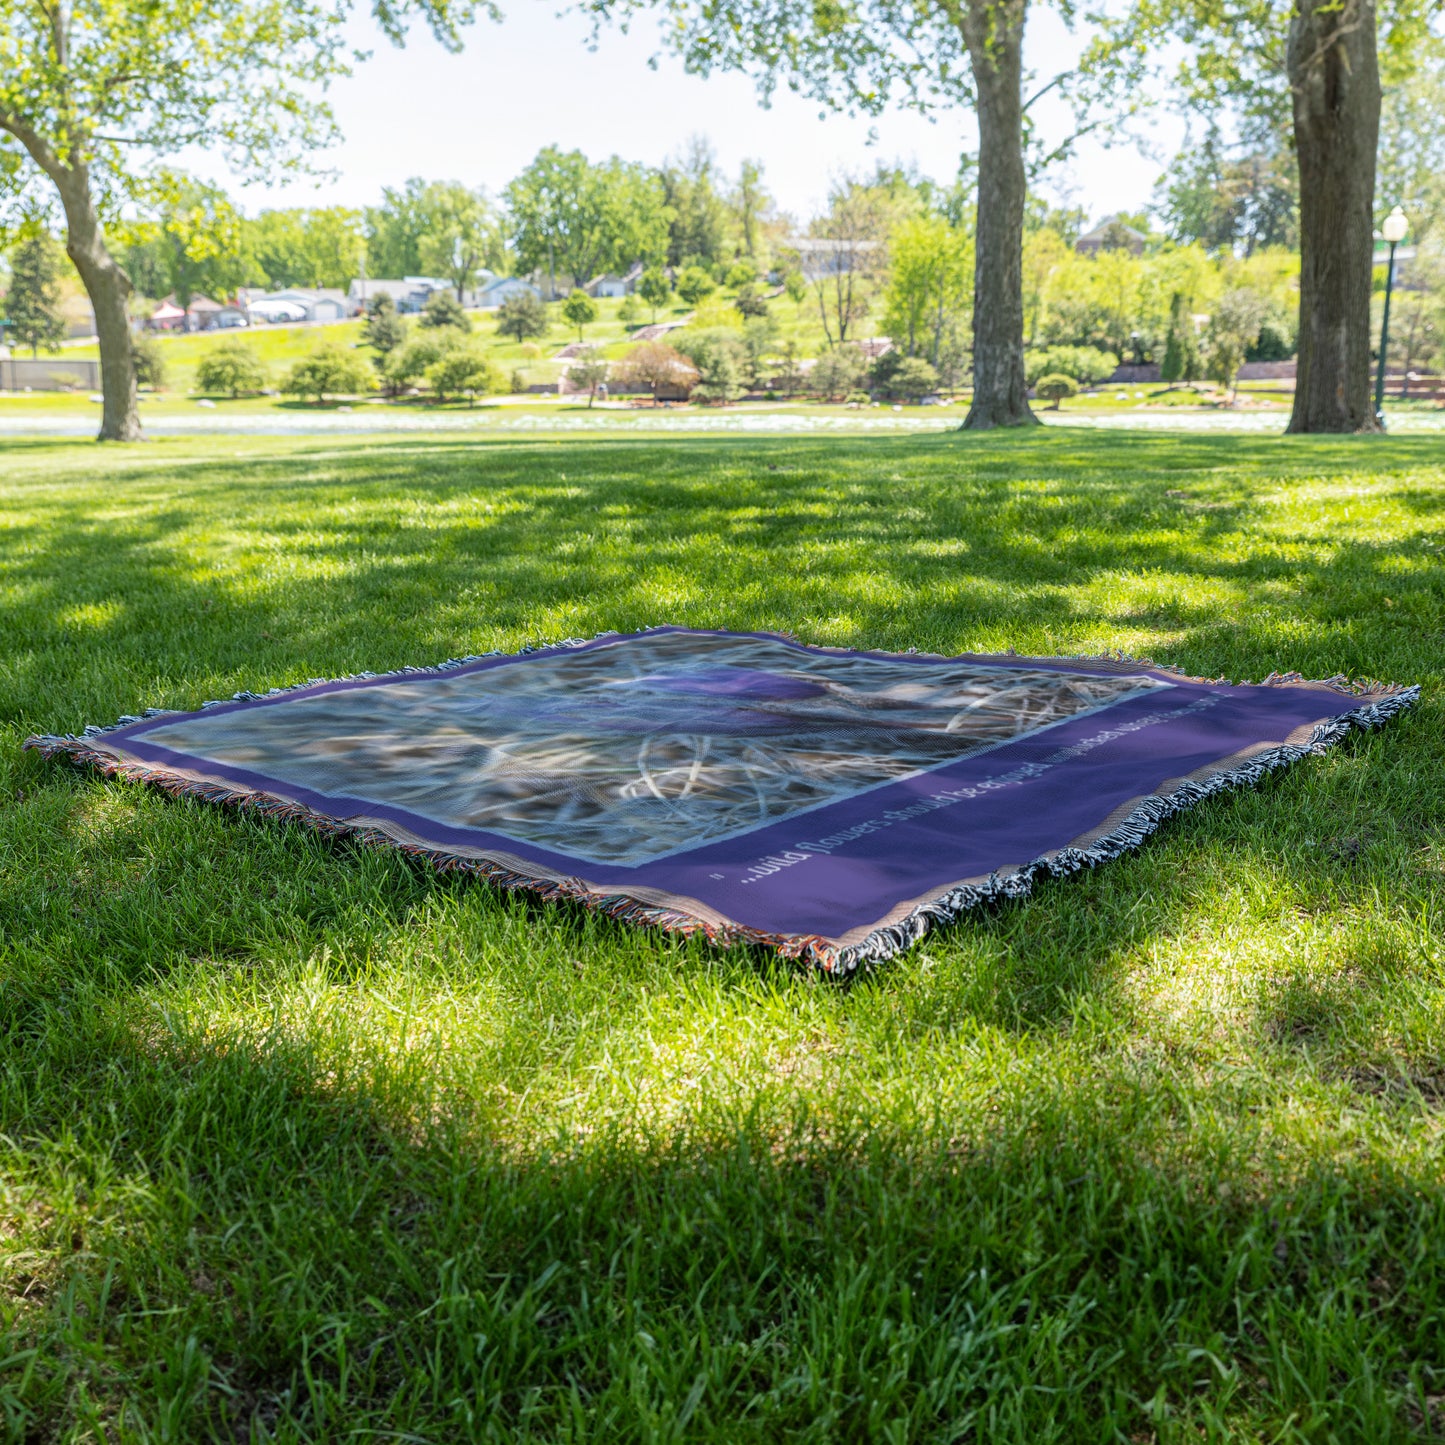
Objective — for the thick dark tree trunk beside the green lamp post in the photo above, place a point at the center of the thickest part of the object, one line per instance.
(1334, 80)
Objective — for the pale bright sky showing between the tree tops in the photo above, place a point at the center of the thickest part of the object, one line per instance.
(532, 80)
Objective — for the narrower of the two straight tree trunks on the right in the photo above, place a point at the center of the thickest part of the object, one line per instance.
(993, 33)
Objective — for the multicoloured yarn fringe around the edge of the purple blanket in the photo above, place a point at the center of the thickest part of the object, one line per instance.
(1379, 702)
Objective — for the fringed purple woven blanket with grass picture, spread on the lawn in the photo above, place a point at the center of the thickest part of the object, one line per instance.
(832, 804)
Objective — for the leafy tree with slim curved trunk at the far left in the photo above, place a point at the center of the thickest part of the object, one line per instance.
(96, 92)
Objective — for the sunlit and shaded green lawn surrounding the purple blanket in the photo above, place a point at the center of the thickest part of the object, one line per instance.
(304, 1142)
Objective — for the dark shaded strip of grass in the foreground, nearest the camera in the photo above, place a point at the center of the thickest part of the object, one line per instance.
(236, 1242)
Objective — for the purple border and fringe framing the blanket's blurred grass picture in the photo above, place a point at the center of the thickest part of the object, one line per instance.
(1030, 814)
